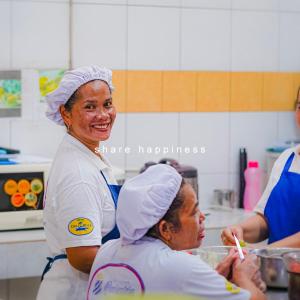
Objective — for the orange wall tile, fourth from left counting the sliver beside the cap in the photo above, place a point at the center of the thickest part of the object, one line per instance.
(213, 91)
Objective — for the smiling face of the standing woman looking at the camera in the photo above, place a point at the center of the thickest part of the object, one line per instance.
(92, 115)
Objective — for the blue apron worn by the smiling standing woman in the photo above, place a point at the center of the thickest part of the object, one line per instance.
(114, 234)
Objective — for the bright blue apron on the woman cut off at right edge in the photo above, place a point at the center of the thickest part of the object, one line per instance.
(283, 207)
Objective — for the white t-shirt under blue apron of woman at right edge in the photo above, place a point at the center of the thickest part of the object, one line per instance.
(276, 173)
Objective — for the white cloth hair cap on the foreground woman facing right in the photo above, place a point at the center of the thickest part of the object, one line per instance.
(145, 199)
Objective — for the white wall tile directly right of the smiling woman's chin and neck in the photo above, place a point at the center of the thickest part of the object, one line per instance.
(115, 145)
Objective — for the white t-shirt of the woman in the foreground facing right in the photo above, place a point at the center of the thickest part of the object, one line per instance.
(150, 265)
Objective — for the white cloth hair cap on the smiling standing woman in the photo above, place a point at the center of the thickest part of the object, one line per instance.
(71, 81)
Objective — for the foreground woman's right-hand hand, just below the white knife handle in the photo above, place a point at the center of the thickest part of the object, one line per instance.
(245, 270)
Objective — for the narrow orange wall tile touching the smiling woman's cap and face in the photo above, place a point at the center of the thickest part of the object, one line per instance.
(120, 92)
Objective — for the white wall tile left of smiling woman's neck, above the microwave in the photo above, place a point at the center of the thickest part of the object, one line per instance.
(36, 137)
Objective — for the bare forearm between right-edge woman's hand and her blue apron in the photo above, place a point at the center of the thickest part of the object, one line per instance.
(255, 229)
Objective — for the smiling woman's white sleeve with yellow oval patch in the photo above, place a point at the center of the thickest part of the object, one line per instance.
(79, 216)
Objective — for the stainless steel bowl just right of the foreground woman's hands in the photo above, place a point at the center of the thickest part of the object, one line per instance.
(272, 267)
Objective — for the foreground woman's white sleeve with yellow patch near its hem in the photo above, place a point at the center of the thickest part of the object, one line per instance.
(205, 282)
